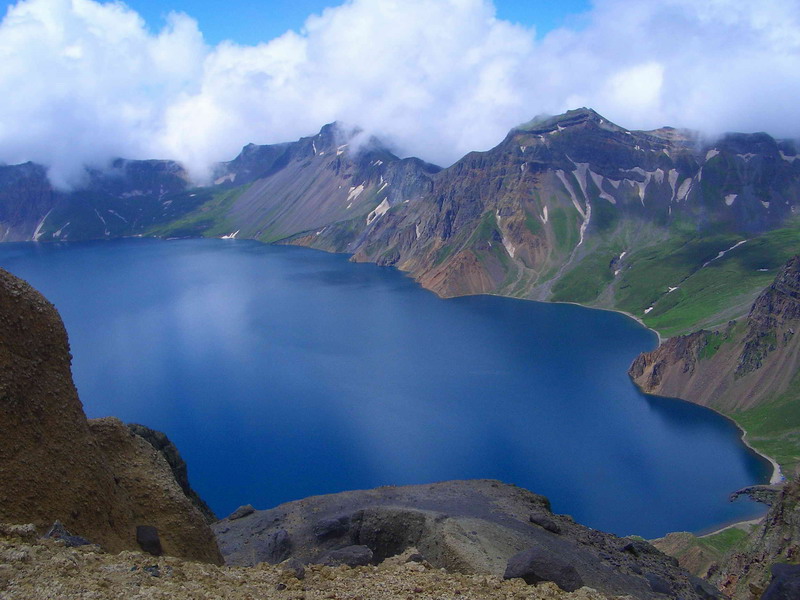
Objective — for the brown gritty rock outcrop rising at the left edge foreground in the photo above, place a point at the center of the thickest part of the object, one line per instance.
(98, 478)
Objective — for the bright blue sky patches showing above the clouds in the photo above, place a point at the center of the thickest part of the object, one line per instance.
(250, 21)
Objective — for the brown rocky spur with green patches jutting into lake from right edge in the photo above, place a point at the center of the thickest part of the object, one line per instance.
(739, 367)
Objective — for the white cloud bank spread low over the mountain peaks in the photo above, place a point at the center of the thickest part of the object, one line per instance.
(83, 82)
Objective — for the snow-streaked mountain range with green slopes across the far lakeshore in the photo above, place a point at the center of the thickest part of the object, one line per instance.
(679, 231)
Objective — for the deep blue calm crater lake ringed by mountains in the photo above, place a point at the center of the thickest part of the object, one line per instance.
(283, 372)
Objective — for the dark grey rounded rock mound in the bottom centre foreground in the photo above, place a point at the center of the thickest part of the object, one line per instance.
(473, 526)
